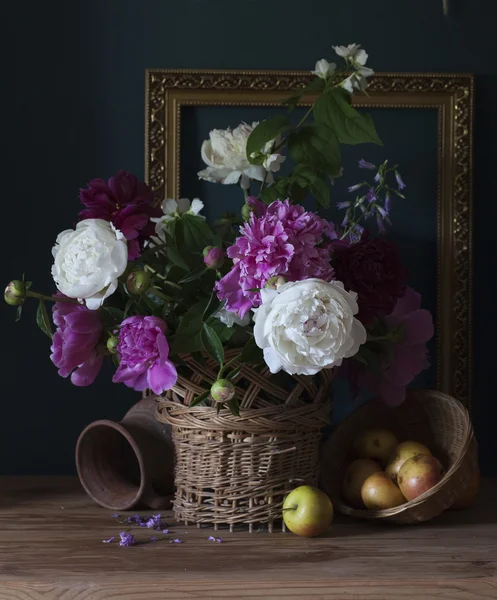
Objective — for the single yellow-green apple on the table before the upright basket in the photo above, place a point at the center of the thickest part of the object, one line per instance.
(307, 511)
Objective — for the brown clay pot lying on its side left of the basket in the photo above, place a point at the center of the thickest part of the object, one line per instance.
(130, 463)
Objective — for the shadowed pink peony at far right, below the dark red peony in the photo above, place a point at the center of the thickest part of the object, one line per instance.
(410, 355)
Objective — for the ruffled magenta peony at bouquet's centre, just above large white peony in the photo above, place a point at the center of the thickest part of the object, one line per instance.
(279, 239)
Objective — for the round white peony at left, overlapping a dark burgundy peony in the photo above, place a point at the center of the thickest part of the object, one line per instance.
(89, 260)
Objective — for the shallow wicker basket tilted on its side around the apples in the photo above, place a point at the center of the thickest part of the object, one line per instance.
(439, 421)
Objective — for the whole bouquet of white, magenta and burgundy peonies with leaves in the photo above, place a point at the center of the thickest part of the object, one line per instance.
(143, 282)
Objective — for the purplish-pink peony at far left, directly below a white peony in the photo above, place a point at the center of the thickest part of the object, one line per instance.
(75, 343)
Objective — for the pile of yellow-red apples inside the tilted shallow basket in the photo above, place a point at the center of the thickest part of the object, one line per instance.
(387, 473)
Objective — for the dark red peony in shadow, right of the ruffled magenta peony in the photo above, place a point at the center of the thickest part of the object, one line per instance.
(373, 269)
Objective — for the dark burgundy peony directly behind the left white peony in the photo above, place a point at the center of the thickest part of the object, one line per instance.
(127, 203)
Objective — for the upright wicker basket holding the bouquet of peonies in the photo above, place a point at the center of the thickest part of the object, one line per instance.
(237, 470)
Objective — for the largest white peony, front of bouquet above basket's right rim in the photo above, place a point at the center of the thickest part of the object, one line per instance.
(306, 326)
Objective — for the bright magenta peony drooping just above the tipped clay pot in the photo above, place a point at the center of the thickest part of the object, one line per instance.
(143, 354)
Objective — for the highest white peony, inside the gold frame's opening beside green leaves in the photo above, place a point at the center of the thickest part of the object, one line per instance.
(225, 154)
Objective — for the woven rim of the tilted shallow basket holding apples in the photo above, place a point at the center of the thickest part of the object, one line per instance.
(469, 442)
